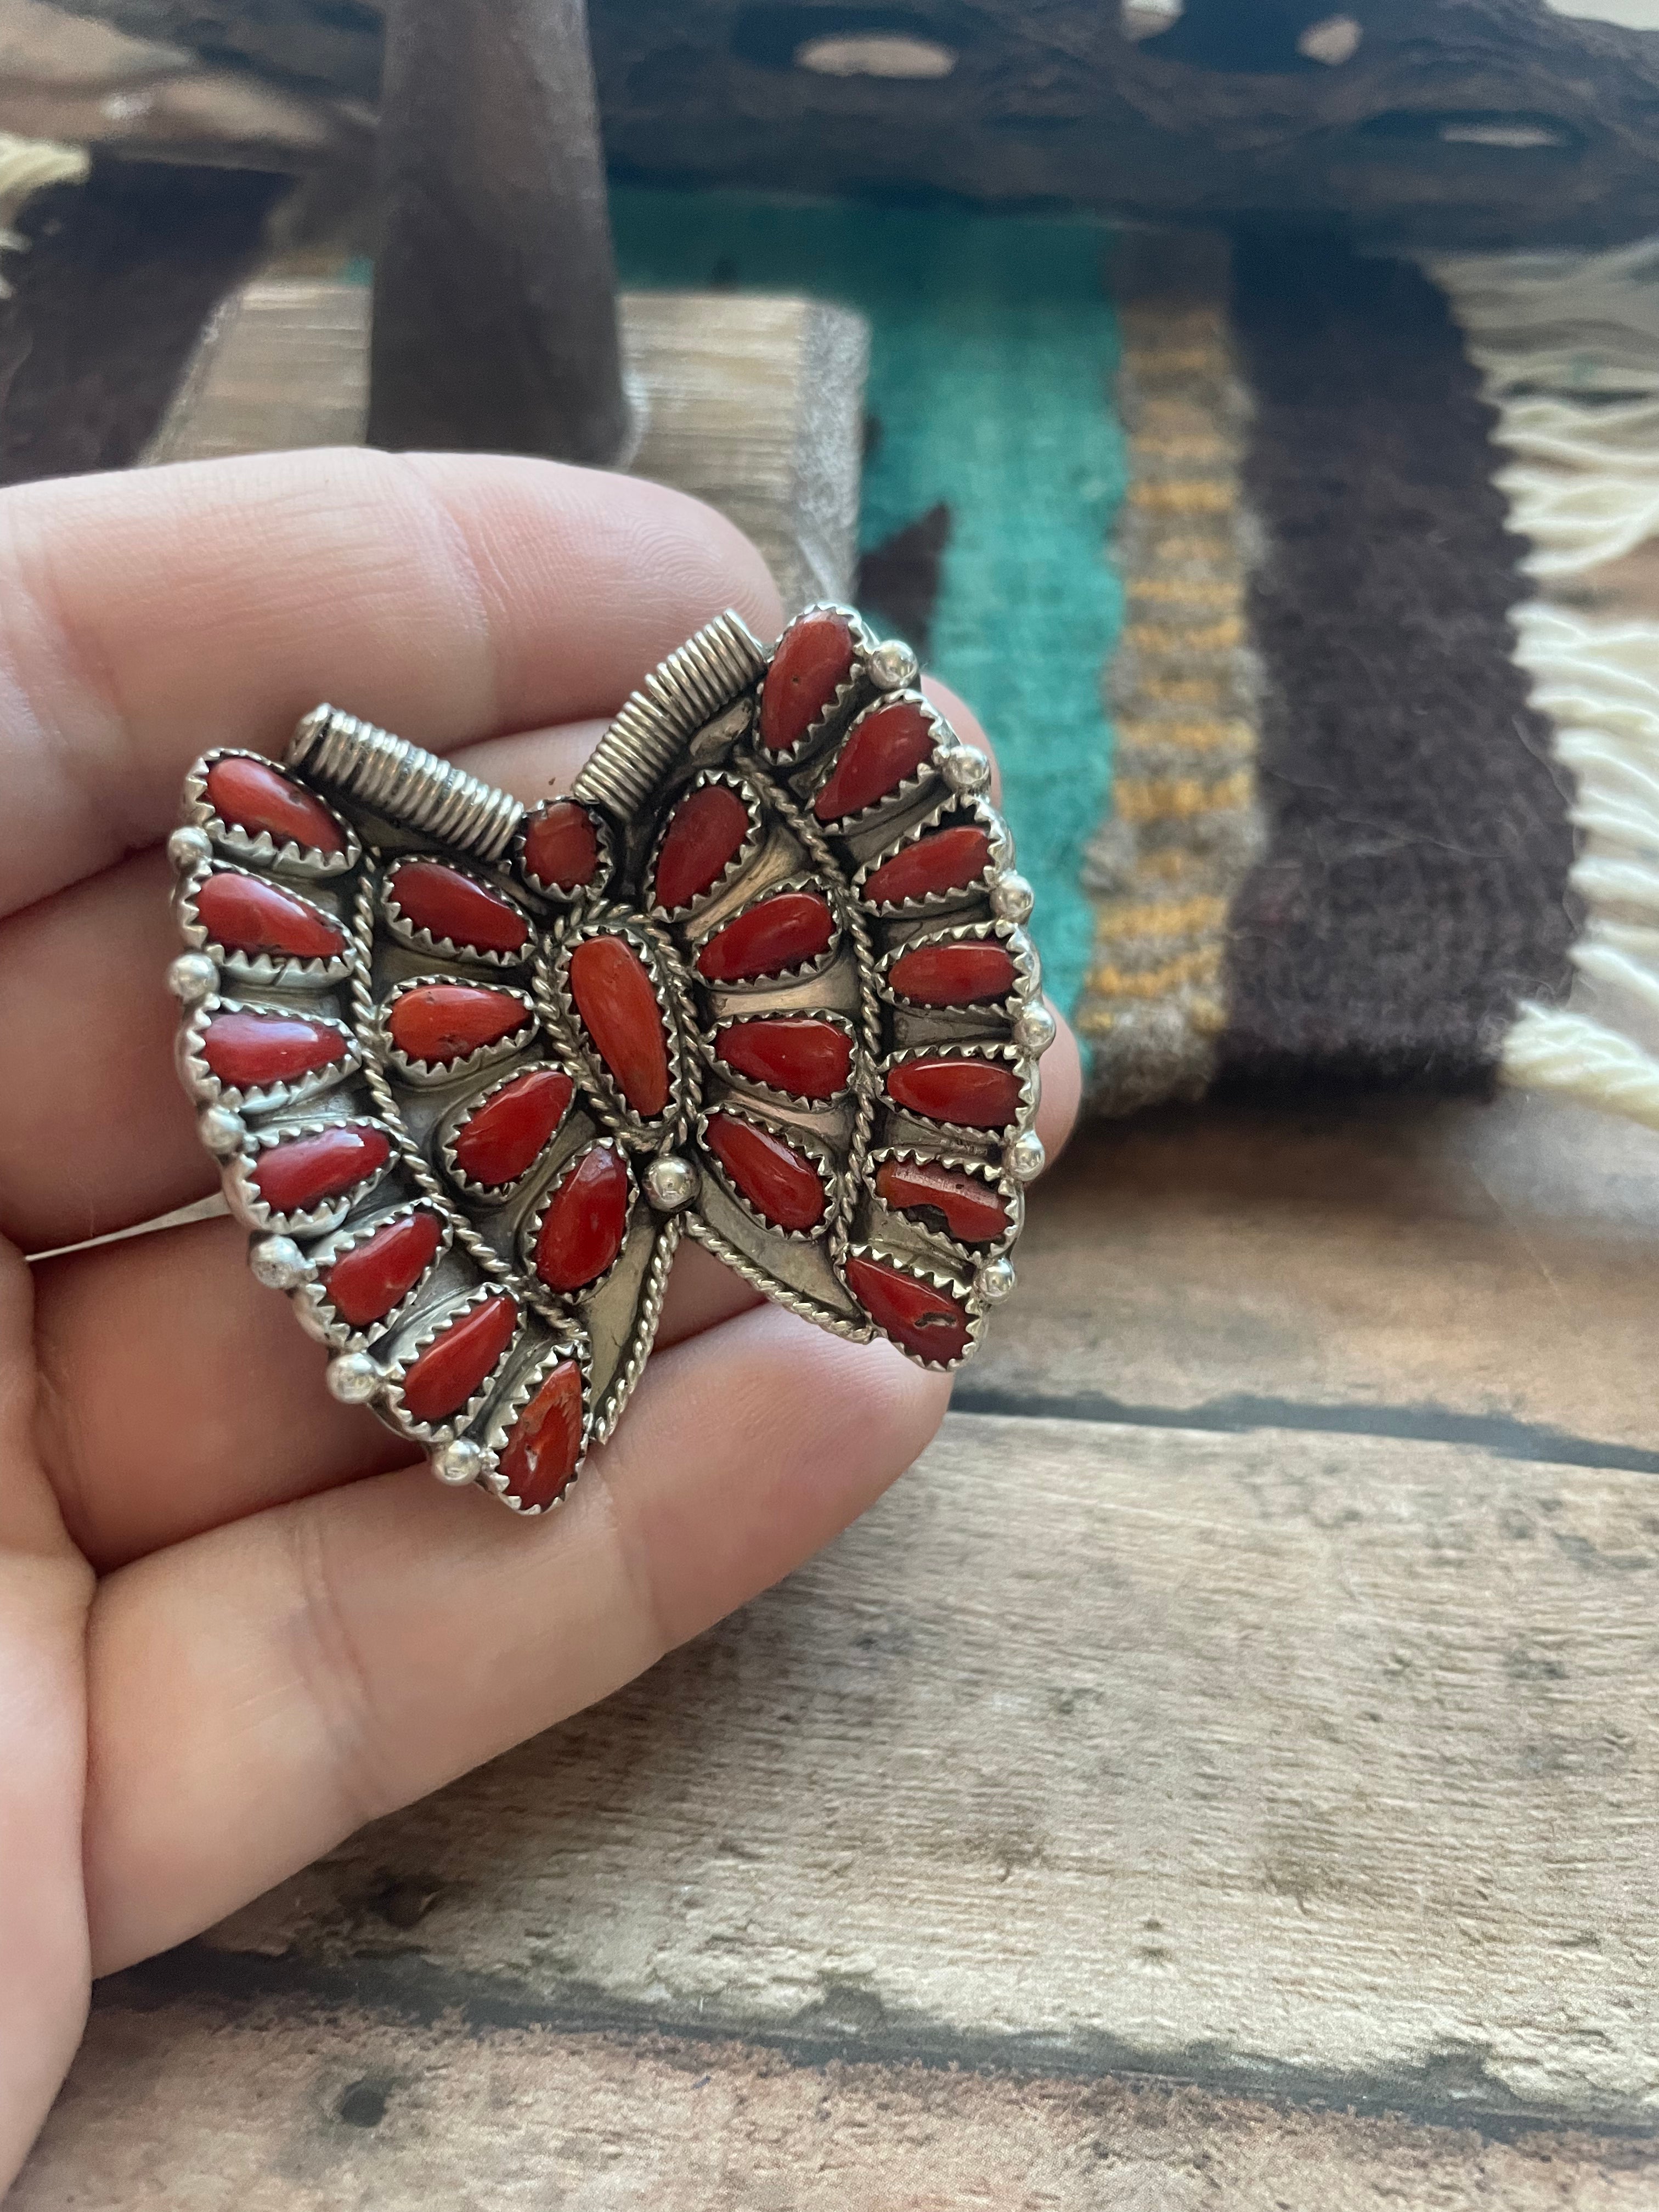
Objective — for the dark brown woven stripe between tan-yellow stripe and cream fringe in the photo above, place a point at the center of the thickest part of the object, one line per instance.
(1415, 877)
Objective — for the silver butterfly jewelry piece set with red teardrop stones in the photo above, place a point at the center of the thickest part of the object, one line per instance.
(472, 1072)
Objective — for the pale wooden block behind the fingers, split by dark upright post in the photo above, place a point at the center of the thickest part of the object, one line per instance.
(749, 404)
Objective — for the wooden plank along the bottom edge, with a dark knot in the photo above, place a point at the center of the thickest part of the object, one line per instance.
(286, 2114)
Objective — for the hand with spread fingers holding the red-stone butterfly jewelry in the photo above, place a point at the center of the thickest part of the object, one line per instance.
(236, 1623)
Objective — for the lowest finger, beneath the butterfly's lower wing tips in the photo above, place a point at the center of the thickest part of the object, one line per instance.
(267, 1689)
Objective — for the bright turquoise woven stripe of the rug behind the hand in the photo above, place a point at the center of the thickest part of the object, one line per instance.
(994, 351)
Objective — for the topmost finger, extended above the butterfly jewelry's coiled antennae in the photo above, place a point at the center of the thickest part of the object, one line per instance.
(446, 596)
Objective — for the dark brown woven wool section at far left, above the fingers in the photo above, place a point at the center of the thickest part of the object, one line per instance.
(109, 302)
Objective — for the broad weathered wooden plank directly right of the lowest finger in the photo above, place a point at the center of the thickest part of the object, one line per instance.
(1297, 1764)
